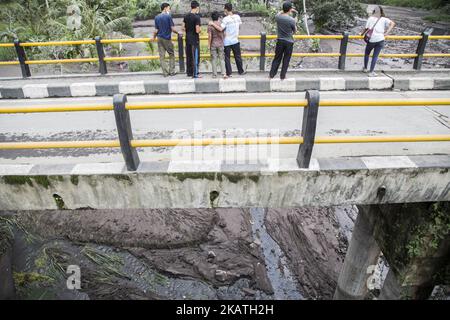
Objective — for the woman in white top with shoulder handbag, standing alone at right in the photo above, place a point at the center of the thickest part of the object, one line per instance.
(377, 27)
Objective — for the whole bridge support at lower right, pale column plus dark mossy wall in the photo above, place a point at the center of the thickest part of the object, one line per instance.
(414, 238)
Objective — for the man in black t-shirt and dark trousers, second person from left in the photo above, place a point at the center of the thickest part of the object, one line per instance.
(191, 25)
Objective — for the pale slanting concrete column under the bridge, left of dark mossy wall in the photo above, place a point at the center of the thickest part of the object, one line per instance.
(363, 251)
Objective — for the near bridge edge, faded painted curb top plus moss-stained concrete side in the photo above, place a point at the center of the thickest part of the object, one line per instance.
(277, 183)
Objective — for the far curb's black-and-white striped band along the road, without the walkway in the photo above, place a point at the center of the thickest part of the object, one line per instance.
(251, 84)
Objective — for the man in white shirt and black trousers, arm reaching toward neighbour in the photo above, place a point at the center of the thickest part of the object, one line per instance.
(231, 24)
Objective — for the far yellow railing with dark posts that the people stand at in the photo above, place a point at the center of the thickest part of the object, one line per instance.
(102, 59)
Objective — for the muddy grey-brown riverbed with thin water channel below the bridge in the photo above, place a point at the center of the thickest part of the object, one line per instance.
(179, 254)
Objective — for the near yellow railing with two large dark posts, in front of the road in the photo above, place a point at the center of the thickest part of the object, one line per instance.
(306, 140)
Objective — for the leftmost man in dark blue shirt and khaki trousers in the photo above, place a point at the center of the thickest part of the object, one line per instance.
(164, 27)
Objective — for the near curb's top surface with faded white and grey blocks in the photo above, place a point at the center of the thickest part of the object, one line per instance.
(271, 164)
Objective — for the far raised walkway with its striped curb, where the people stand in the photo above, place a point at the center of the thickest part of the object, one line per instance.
(153, 83)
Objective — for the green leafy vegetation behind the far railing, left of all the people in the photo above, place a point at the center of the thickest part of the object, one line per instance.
(40, 20)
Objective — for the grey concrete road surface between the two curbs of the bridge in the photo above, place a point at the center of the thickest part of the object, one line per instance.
(154, 124)
